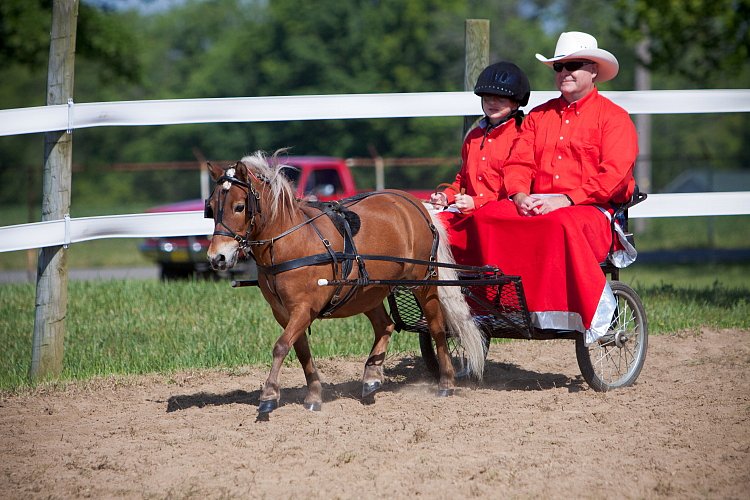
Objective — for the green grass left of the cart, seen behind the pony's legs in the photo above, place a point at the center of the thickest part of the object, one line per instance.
(135, 327)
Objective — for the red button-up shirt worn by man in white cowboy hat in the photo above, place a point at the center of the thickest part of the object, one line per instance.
(585, 150)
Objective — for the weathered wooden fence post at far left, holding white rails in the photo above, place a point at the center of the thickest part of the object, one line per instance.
(52, 271)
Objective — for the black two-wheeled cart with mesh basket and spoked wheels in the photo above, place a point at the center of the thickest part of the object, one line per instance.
(499, 309)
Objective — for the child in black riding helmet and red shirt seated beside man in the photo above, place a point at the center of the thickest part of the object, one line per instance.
(504, 89)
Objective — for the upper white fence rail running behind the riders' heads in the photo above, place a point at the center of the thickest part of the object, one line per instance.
(333, 107)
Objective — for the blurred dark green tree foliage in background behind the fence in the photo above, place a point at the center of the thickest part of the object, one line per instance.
(228, 48)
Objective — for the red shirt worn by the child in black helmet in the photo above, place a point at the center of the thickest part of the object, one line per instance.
(482, 164)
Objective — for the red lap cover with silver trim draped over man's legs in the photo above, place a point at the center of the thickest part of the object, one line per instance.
(557, 255)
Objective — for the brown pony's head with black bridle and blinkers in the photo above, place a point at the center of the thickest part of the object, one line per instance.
(233, 206)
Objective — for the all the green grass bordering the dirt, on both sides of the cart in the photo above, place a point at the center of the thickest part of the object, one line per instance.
(135, 327)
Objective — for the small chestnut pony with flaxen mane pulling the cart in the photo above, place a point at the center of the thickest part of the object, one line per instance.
(300, 247)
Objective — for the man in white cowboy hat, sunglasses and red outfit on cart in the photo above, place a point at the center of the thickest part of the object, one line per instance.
(573, 160)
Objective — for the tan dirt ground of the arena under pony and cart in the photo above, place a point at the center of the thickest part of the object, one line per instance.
(532, 429)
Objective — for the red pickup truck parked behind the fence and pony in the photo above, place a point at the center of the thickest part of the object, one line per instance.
(317, 177)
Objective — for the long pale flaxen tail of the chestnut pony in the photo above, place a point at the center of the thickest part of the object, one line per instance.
(456, 311)
